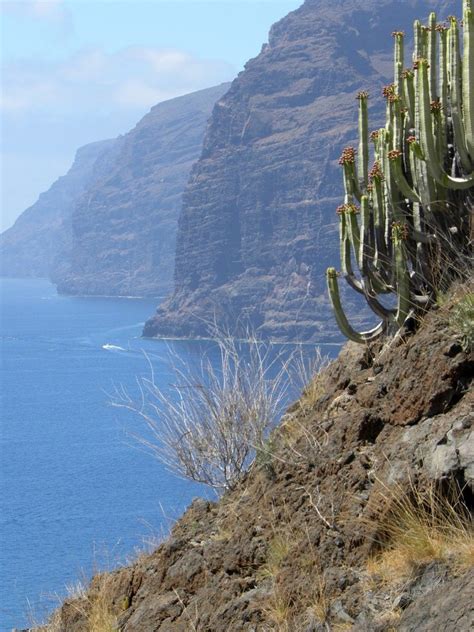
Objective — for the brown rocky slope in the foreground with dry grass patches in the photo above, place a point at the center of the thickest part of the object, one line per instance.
(304, 543)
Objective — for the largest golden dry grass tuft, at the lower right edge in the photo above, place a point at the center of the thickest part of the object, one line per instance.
(422, 526)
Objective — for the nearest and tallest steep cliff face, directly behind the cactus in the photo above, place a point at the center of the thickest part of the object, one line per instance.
(258, 227)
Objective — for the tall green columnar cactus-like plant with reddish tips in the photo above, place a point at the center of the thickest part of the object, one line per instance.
(413, 225)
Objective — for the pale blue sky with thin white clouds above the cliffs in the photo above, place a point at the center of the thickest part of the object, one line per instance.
(77, 71)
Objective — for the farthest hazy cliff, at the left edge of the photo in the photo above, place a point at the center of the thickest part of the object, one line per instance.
(38, 244)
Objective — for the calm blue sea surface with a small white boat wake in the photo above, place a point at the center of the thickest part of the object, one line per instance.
(77, 492)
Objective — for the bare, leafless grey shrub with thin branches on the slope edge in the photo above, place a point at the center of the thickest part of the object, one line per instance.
(208, 424)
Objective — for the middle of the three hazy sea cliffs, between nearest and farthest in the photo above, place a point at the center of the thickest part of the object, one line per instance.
(124, 227)
